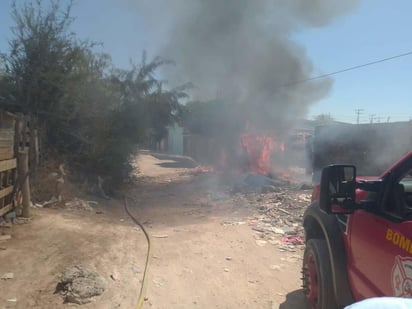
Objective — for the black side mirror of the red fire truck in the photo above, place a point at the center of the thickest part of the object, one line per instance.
(337, 189)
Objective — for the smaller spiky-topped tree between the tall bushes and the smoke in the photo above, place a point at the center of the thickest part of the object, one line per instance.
(144, 102)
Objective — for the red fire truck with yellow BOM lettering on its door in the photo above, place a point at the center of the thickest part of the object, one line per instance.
(358, 234)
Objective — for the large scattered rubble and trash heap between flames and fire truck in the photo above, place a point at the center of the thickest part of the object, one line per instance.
(279, 212)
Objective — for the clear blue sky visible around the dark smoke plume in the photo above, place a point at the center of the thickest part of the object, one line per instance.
(376, 29)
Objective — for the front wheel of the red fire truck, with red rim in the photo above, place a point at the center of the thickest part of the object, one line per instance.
(317, 276)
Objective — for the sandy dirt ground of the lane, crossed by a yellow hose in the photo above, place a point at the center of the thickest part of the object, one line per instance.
(199, 261)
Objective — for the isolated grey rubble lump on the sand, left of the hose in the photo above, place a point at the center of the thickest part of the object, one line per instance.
(79, 285)
